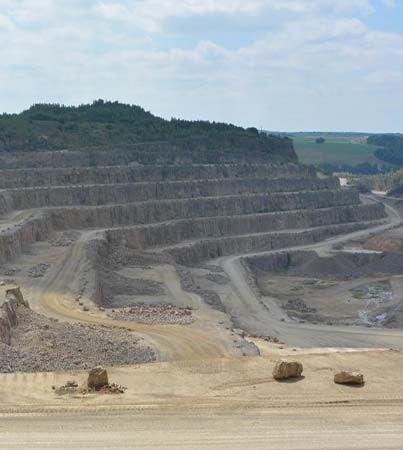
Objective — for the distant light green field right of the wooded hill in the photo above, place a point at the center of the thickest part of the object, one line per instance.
(338, 149)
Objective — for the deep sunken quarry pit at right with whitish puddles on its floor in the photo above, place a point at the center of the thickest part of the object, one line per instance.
(363, 289)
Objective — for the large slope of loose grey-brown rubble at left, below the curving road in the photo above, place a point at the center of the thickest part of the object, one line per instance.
(40, 344)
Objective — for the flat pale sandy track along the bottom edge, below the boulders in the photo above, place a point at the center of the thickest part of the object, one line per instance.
(379, 429)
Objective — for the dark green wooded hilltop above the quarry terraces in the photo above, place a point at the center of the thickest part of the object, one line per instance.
(110, 124)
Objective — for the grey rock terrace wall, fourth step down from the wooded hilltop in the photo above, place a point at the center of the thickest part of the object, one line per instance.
(160, 211)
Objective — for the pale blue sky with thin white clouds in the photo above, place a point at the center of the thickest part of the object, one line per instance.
(286, 65)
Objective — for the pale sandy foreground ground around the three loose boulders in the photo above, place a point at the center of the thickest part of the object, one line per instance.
(214, 404)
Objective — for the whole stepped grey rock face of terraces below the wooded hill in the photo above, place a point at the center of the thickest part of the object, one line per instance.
(200, 204)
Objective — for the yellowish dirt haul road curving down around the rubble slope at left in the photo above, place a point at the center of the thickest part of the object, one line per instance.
(54, 298)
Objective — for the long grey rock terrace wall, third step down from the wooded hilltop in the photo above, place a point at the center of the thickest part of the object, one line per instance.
(130, 193)
